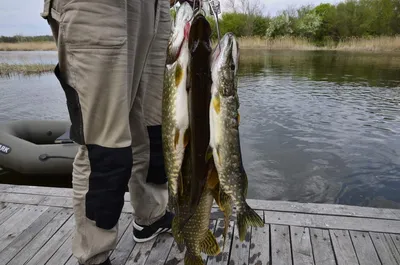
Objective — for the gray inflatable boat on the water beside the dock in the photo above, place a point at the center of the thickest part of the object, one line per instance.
(37, 147)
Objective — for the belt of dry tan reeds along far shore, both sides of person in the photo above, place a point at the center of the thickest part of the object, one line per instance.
(375, 44)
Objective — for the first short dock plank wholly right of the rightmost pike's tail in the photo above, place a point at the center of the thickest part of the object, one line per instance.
(280, 247)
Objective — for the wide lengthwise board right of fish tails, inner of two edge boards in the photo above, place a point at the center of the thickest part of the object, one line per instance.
(332, 222)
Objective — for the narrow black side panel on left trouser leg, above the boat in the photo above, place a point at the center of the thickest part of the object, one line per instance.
(74, 109)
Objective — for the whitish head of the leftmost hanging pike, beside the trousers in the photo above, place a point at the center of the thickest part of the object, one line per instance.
(180, 31)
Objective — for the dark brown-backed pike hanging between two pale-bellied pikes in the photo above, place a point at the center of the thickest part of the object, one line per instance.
(199, 102)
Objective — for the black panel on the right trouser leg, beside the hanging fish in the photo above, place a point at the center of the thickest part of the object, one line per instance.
(156, 173)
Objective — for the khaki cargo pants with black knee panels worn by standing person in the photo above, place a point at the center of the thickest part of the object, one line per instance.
(111, 63)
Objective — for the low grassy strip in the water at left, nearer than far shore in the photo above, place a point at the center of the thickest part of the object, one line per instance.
(24, 69)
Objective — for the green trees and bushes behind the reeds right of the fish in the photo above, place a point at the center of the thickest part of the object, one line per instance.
(320, 24)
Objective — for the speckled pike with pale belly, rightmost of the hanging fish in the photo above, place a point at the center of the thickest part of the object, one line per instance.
(224, 145)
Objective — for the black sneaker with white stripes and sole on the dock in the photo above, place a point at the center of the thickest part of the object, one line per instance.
(142, 233)
